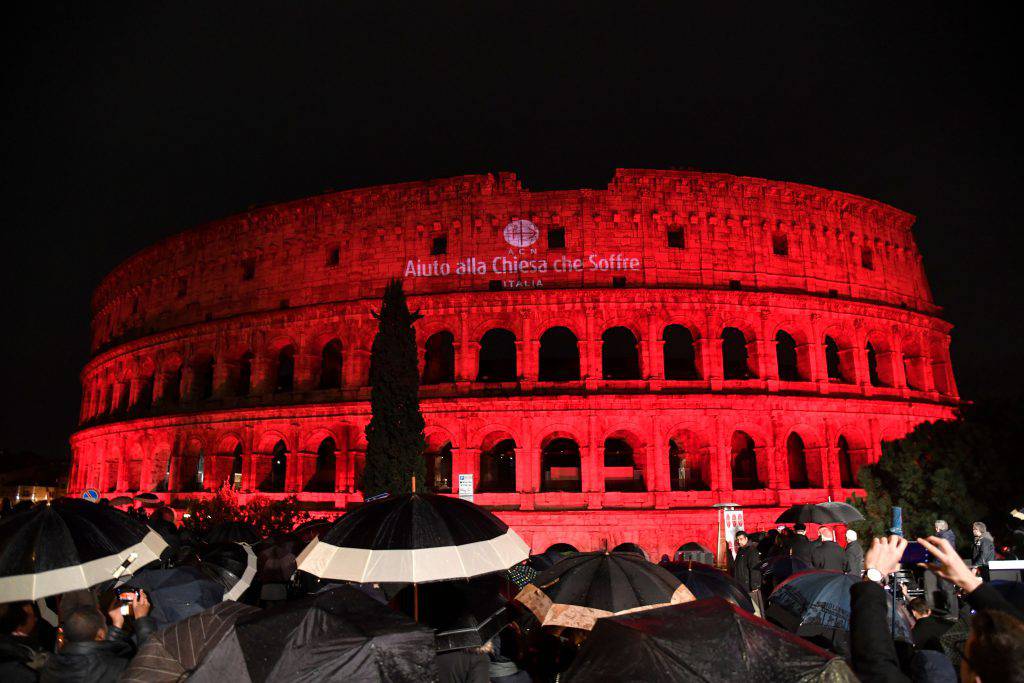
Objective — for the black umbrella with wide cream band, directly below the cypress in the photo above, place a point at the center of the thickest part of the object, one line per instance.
(415, 538)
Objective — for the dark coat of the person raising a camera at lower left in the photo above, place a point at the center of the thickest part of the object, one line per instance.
(97, 662)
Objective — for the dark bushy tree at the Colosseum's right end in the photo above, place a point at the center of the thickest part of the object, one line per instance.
(962, 471)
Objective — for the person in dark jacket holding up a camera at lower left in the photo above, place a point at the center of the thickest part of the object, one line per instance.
(94, 654)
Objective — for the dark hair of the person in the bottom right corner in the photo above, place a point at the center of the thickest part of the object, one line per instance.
(997, 653)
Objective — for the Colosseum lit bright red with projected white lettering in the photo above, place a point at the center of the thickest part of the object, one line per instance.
(608, 365)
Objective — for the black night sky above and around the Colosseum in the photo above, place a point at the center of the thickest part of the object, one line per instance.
(125, 124)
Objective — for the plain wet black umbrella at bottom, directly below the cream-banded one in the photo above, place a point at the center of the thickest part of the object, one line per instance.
(337, 635)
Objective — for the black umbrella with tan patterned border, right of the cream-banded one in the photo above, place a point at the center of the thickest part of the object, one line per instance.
(579, 590)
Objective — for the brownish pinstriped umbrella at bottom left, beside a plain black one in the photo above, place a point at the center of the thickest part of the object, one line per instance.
(169, 656)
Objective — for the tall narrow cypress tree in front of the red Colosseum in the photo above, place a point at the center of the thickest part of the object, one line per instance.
(395, 436)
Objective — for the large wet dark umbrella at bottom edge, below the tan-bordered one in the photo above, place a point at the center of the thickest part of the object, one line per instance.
(705, 641)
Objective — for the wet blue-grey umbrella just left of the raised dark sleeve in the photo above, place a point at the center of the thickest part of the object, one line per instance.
(818, 603)
